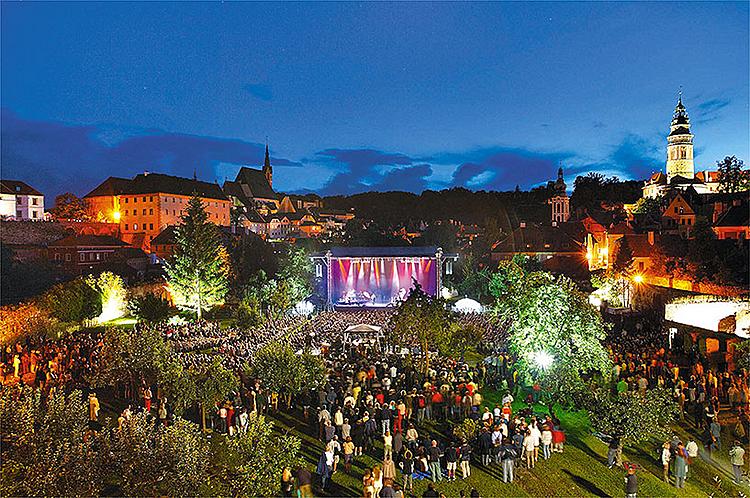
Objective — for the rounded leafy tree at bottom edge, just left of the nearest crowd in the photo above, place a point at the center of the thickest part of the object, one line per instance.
(252, 462)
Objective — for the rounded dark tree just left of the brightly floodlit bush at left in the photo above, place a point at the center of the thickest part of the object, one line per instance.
(73, 301)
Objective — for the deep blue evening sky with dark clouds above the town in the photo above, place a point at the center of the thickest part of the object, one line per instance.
(366, 96)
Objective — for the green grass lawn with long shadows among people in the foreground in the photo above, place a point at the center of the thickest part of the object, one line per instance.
(580, 471)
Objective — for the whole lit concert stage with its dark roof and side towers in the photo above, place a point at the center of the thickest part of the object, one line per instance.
(378, 277)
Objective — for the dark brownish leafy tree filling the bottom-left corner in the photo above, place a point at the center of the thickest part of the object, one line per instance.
(45, 448)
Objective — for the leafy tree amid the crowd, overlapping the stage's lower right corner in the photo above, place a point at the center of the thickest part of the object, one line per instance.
(424, 320)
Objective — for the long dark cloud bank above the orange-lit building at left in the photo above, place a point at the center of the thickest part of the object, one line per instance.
(56, 157)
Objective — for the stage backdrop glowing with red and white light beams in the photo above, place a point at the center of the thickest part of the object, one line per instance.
(380, 281)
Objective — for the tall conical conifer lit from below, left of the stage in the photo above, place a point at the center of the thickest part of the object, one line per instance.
(198, 273)
